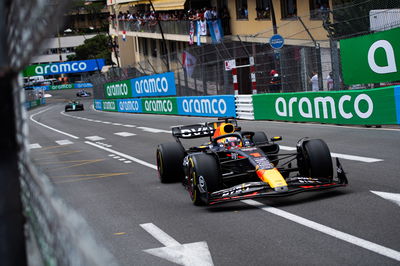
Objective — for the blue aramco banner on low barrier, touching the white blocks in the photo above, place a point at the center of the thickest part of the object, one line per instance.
(214, 106)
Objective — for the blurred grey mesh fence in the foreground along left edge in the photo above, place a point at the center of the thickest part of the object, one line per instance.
(55, 233)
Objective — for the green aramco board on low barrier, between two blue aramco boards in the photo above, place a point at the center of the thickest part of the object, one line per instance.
(160, 105)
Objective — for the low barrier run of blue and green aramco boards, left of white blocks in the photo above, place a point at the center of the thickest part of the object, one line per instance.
(210, 106)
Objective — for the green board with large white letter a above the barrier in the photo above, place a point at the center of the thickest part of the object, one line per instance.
(371, 58)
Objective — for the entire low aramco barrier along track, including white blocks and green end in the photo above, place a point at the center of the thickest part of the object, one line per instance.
(358, 107)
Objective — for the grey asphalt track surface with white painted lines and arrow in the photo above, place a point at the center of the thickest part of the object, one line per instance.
(103, 165)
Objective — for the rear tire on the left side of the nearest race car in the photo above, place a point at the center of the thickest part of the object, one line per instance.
(170, 162)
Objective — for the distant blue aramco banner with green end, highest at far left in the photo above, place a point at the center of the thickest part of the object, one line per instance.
(64, 67)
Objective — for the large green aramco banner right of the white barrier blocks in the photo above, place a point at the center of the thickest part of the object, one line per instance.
(364, 107)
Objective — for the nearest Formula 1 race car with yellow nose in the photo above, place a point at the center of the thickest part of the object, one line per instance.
(236, 164)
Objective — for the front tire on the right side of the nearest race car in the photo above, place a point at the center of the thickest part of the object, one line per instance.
(315, 159)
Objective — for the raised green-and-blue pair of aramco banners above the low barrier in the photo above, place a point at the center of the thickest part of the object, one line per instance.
(154, 85)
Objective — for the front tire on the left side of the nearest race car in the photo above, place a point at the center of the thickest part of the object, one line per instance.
(204, 177)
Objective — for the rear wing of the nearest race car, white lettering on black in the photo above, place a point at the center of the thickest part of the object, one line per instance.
(200, 130)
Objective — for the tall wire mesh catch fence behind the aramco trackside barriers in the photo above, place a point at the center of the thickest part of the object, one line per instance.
(200, 70)
